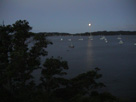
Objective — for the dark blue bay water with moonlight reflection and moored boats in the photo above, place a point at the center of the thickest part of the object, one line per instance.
(116, 61)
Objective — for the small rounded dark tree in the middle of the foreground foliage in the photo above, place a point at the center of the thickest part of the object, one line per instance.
(52, 73)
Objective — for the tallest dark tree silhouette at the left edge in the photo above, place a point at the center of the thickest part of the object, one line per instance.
(18, 61)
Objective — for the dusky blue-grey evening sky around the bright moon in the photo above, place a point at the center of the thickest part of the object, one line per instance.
(71, 16)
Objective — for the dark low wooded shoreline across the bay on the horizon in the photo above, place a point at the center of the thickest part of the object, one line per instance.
(90, 33)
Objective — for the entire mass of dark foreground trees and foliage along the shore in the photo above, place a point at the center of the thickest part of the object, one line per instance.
(18, 60)
